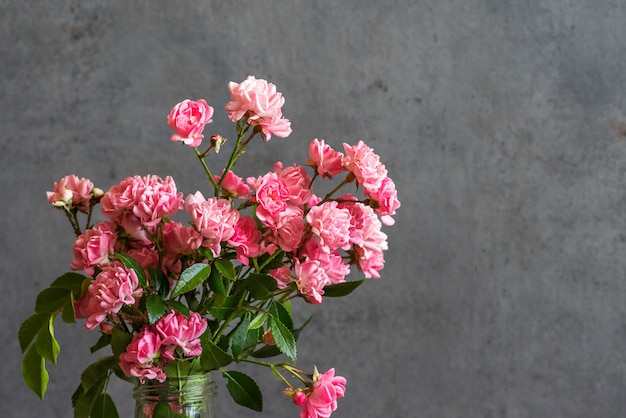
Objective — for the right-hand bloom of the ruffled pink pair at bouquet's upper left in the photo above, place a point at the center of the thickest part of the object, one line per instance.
(155, 198)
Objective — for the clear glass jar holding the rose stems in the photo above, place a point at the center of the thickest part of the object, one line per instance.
(184, 397)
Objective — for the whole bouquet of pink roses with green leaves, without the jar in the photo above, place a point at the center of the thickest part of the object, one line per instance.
(173, 299)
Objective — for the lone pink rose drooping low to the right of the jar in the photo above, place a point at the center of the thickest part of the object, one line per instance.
(321, 401)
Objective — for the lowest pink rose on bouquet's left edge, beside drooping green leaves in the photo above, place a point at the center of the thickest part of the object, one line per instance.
(114, 287)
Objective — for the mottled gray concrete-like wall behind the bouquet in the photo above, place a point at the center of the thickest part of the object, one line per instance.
(503, 124)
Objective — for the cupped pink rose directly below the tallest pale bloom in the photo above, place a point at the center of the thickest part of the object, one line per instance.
(272, 194)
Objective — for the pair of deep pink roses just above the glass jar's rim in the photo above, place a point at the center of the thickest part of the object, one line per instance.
(154, 346)
